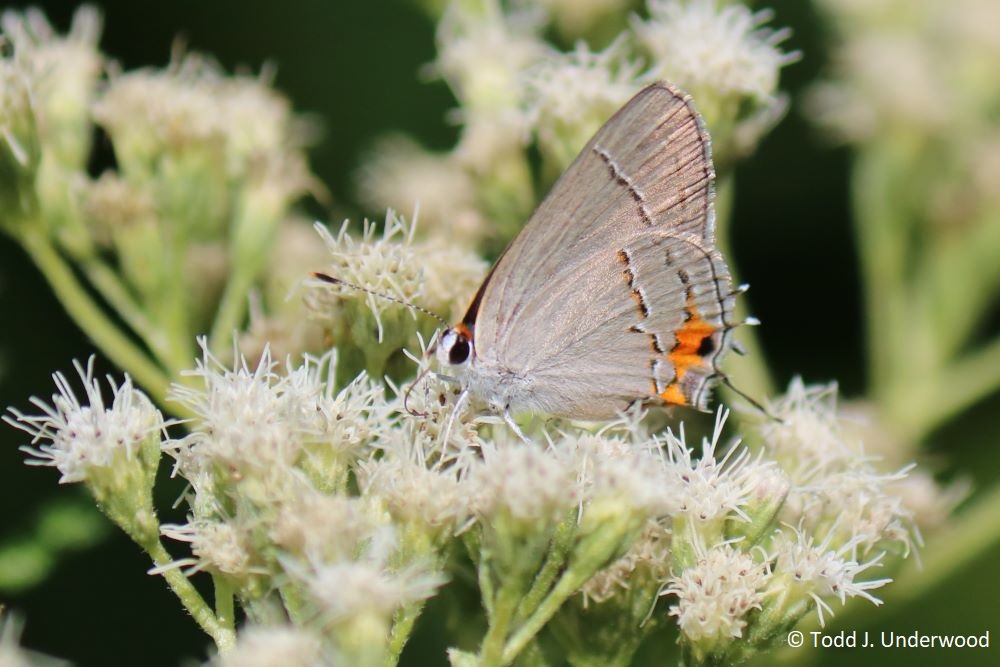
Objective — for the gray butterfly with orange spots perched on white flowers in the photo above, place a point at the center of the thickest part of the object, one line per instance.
(614, 292)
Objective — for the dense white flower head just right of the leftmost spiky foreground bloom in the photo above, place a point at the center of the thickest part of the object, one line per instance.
(256, 423)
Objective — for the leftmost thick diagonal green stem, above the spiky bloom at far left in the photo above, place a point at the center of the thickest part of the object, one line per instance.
(92, 320)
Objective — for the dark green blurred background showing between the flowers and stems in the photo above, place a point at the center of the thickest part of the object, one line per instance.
(354, 66)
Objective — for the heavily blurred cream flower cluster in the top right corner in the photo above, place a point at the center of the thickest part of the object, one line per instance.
(925, 68)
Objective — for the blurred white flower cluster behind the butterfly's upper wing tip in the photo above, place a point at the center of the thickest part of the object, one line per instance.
(512, 86)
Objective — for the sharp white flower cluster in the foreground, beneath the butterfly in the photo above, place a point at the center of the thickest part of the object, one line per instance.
(731, 539)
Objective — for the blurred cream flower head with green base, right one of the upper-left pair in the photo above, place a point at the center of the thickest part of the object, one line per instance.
(234, 136)
